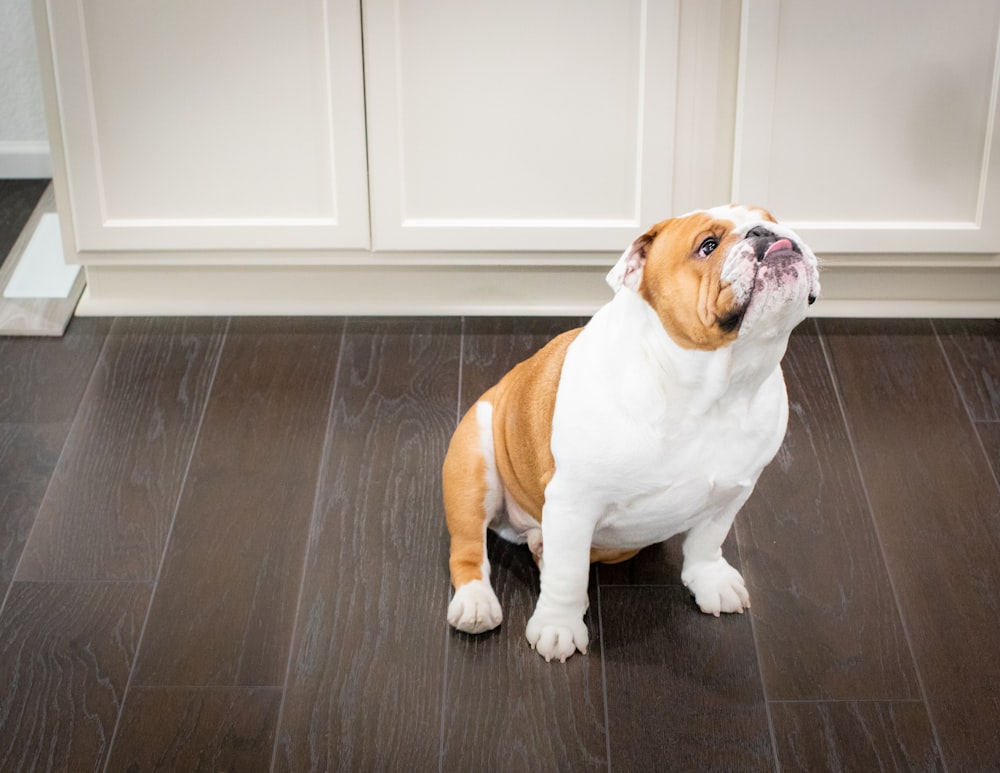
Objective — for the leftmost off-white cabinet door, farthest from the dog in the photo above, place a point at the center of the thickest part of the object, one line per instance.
(212, 124)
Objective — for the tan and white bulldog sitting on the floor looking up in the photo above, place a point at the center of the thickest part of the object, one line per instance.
(656, 418)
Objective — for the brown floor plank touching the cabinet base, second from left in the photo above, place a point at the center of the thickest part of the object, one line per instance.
(113, 494)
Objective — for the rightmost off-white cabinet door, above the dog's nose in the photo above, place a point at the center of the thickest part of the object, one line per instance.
(871, 125)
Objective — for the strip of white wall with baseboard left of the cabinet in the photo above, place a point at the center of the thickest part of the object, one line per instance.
(24, 149)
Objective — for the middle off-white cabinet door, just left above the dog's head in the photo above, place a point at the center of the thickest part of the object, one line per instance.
(519, 125)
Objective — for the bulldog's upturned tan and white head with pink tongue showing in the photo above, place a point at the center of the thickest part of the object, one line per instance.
(721, 274)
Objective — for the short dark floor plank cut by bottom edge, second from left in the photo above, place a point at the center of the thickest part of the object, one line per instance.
(196, 729)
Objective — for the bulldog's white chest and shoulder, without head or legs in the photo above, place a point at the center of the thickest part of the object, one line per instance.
(647, 457)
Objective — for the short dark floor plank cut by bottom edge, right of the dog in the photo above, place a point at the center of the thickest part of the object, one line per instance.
(874, 735)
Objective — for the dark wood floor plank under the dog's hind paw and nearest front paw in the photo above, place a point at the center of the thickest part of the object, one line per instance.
(504, 707)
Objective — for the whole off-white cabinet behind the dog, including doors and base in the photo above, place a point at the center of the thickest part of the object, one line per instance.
(448, 156)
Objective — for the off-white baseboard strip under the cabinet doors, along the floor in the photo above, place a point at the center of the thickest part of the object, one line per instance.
(490, 290)
